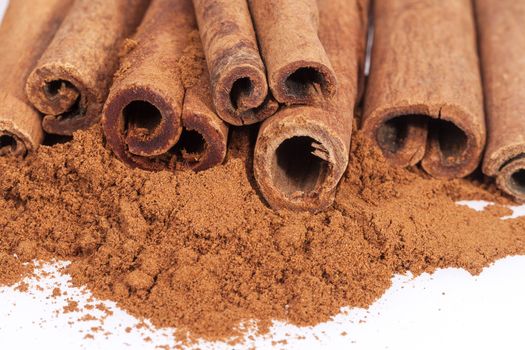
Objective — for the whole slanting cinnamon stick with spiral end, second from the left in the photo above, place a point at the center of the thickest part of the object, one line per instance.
(71, 80)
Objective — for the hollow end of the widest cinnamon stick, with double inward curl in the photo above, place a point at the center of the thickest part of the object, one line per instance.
(438, 137)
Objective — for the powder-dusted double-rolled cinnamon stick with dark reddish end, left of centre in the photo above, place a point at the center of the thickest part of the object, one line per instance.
(158, 114)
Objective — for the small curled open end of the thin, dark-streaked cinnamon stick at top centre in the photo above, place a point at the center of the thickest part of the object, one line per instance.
(241, 95)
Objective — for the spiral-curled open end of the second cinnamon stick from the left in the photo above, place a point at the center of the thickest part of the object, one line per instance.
(67, 102)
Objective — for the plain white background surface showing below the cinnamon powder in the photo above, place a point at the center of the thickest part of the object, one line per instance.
(449, 309)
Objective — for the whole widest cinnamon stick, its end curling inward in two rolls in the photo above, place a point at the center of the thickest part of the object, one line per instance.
(424, 99)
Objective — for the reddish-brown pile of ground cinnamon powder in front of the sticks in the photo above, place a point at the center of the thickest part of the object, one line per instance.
(203, 253)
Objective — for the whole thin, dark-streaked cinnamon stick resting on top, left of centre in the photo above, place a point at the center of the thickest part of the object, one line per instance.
(237, 73)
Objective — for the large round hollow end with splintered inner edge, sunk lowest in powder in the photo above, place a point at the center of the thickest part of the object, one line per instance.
(298, 160)
